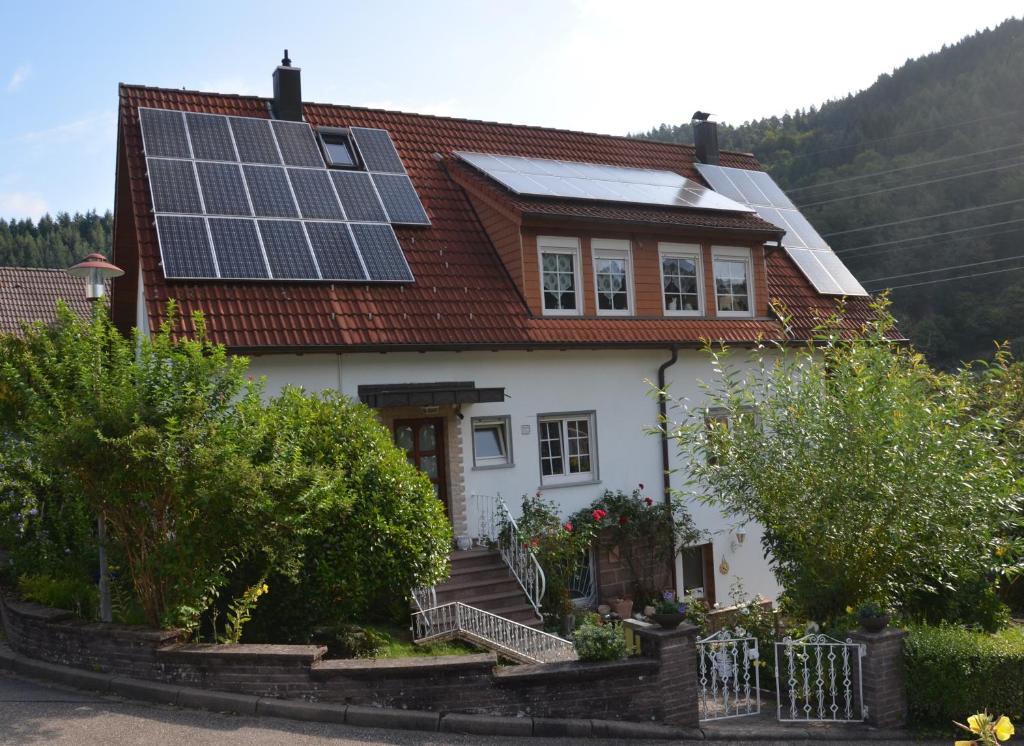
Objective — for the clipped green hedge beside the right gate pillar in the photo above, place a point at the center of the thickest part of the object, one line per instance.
(953, 673)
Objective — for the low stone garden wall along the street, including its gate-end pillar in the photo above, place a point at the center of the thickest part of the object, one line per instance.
(659, 686)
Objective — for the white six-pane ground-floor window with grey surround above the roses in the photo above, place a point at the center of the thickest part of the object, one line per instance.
(569, 449)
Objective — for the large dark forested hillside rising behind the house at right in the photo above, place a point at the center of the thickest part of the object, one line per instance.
(933, 156)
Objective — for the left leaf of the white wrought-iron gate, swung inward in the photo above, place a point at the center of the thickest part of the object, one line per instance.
(729, 676)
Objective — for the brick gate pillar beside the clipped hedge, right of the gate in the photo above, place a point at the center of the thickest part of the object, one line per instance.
(882, 675)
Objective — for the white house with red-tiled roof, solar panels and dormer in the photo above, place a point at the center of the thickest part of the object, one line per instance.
(541, 280)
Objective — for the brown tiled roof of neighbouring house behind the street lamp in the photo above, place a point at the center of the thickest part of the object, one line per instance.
(31, 295)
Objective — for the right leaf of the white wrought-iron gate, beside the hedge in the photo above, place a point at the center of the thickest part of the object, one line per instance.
(819, 678)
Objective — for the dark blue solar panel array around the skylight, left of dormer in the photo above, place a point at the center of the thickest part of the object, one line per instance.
(240, 198)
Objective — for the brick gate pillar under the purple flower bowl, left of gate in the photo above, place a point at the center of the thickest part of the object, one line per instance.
(676, 652)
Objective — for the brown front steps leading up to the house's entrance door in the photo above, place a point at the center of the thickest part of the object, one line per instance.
(482, 580)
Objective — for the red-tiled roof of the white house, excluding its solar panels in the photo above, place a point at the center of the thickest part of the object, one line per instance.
(462, 297)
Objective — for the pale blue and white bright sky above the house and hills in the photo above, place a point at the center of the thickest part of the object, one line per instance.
(587, 65)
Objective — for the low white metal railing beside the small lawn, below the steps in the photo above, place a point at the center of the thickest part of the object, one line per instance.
(510, 639)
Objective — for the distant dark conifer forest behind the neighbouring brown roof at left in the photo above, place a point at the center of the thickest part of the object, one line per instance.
(58, 242)
